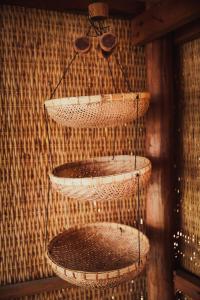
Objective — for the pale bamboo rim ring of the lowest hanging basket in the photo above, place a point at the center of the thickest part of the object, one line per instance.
(109, 274)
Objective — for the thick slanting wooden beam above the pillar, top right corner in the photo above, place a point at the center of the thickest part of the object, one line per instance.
(162, 18)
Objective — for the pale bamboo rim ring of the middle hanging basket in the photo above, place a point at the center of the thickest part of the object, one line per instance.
(90, 181)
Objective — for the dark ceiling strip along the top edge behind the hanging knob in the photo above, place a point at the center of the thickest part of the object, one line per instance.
(116, 7)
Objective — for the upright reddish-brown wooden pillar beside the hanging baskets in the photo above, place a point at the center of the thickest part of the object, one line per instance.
(159, 146)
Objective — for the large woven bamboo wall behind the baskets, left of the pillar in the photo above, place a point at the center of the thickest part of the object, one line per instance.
(35, 46)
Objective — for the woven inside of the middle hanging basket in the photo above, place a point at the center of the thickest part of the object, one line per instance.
(100, 167)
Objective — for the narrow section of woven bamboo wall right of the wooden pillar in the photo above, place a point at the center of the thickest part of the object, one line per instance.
(188, 127)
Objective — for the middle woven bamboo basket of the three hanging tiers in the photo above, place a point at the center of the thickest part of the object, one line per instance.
(103, 178)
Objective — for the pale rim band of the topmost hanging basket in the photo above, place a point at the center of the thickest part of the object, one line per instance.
(101, 98)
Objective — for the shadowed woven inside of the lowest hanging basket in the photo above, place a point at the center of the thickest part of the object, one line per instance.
(97, 248)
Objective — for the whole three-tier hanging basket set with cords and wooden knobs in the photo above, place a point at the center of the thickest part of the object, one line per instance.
(101, 254)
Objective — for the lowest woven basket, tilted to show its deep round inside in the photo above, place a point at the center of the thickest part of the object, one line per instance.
(99, 254)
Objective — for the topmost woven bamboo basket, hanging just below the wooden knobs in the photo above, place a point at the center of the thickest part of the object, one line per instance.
(99, 110)
